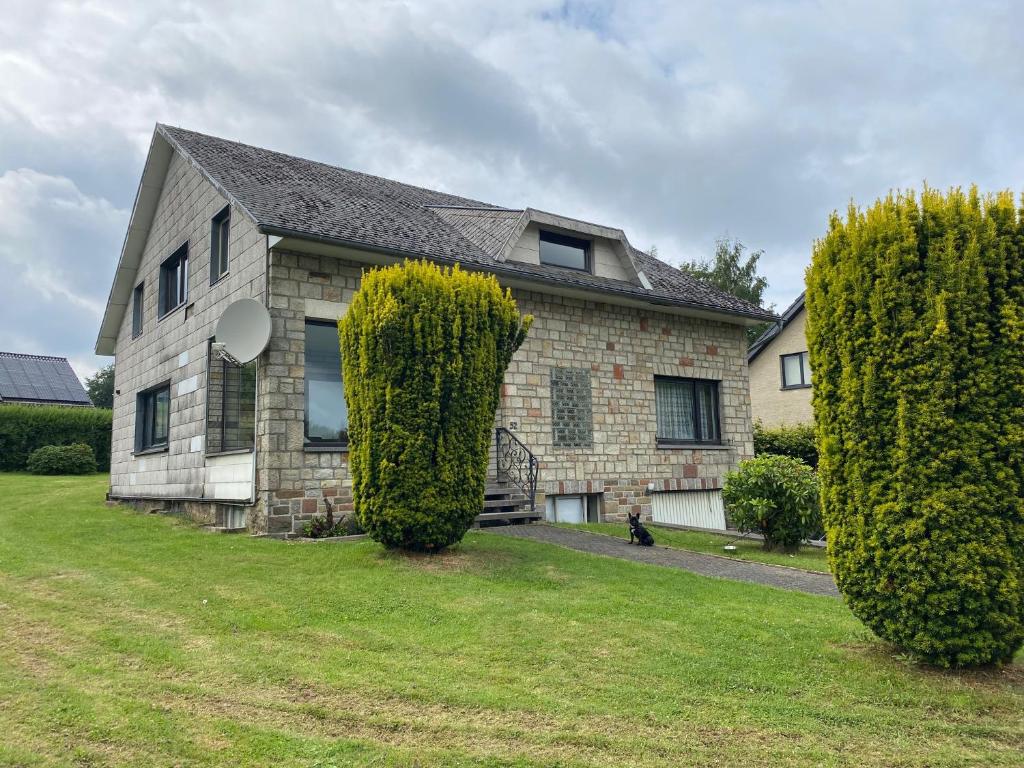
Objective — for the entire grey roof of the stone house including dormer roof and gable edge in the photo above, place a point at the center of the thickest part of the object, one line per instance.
(290, 197)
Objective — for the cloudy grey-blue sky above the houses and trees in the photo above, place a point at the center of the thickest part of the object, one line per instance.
(679, 122)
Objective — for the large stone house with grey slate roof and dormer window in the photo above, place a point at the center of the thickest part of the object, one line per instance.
(631, 390)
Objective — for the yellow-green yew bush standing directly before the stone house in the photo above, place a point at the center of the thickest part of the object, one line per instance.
(424, 353)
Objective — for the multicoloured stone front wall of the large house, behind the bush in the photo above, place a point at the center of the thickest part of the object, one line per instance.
(621, 350)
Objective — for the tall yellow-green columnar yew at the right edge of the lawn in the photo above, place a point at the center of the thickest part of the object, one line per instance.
(916, 329)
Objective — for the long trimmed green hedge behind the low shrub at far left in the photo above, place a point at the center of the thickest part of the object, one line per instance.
(25, 429)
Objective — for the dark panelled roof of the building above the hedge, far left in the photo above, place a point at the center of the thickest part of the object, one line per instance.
(39, 380)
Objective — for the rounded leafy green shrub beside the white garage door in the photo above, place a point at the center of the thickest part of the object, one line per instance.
(777, 497)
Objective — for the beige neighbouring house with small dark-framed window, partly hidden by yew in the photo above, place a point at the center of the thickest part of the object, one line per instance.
(781, 371)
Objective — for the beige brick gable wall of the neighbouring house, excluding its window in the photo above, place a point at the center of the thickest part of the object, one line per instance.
(771, 404)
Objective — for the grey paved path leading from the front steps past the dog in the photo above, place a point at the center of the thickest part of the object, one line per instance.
(723, 568)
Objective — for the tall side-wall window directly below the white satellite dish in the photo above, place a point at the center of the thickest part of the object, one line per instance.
(231, 406)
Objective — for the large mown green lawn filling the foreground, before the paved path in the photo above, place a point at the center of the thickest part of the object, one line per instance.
(130, 639)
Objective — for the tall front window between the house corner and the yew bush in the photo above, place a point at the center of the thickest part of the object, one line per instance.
(327, 413)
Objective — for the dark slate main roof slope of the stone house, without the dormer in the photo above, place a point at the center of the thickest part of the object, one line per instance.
(292, 197)
